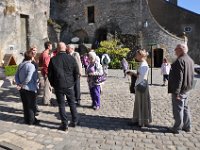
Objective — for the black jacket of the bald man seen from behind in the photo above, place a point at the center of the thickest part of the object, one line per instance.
(62, 71)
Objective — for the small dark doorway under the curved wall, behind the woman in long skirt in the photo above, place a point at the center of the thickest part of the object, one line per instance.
(158, 57)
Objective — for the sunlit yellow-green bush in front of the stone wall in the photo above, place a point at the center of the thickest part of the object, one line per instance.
(115, 51)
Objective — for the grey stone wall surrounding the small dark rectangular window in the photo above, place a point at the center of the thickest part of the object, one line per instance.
(114, 15)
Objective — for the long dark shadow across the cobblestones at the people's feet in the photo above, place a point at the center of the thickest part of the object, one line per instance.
(89, 121)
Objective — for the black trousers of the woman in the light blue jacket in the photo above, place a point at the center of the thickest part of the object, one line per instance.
(28, 100)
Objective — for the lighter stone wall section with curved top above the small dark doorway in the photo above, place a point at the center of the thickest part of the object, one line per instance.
(157, 36)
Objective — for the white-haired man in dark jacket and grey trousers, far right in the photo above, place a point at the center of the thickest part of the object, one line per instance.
(180, 83)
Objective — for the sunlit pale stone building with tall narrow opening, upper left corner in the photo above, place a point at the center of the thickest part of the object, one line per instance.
(22, 23)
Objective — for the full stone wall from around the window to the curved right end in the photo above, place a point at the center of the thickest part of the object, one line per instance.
(126, 17)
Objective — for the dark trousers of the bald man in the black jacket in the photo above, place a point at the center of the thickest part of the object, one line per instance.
(61, 104)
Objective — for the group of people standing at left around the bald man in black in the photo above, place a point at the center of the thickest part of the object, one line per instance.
(61, 72)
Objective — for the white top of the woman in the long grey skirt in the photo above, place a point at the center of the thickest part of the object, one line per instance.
(142, 72)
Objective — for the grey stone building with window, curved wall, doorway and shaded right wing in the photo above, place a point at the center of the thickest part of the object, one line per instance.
(150, 23)
